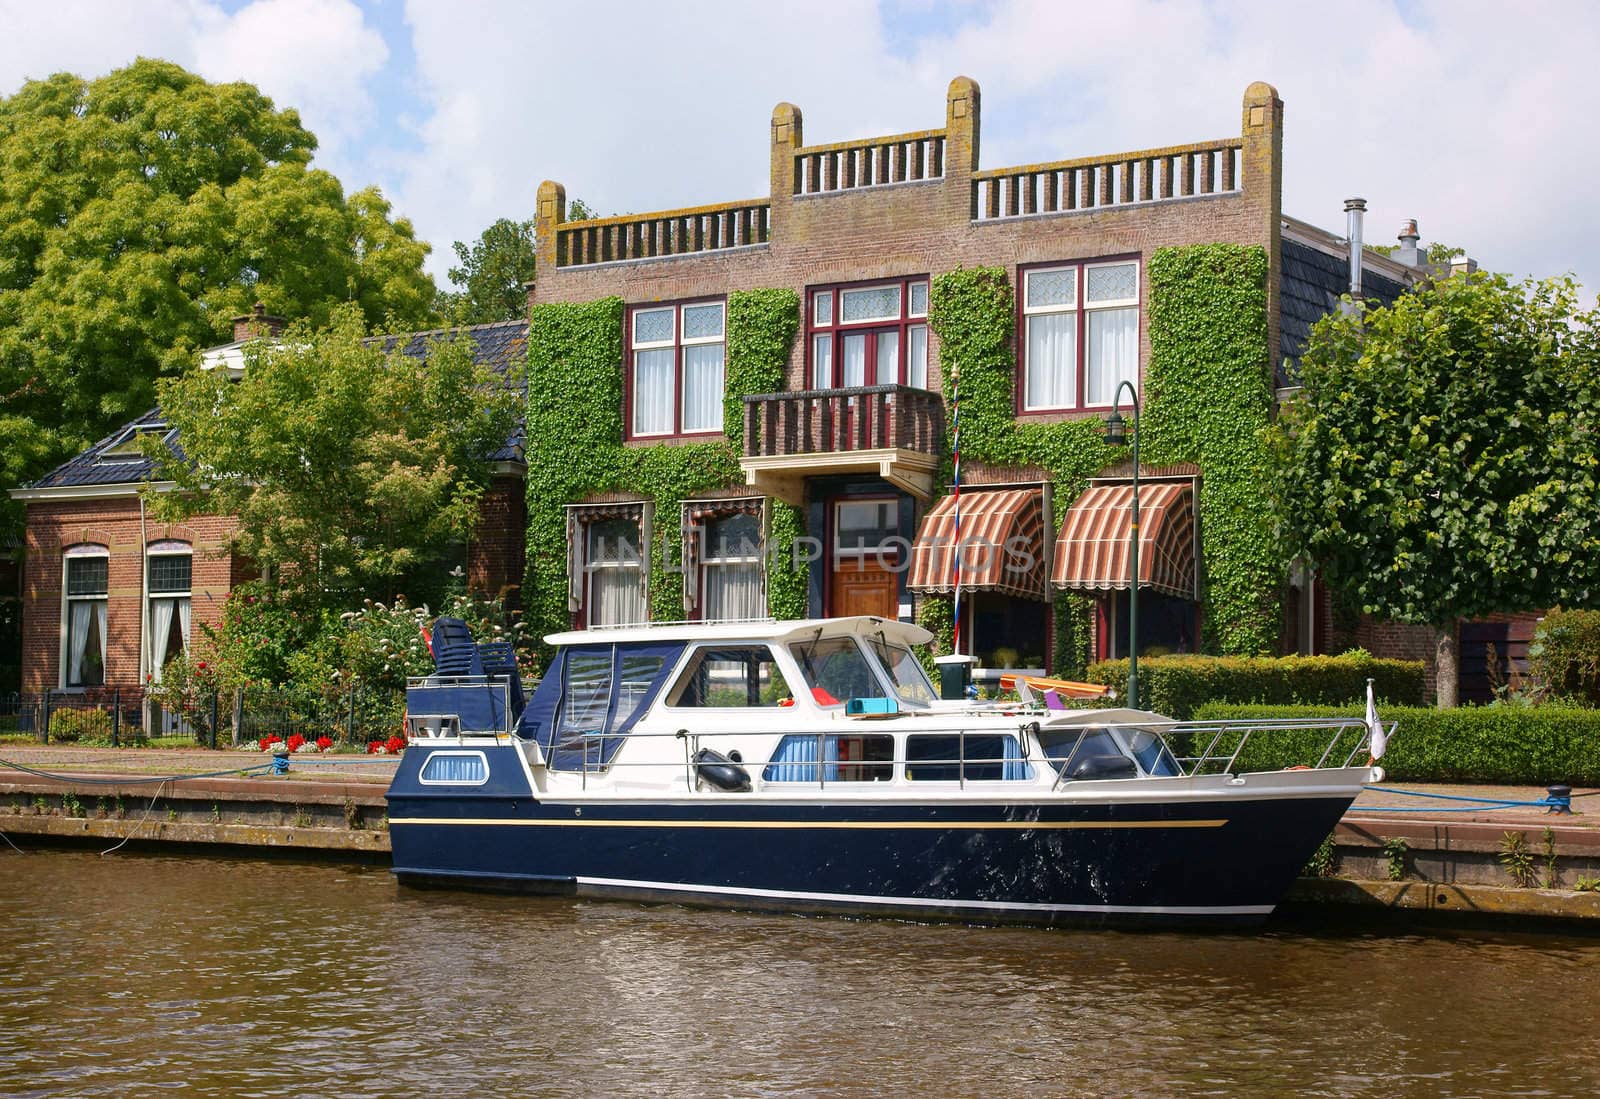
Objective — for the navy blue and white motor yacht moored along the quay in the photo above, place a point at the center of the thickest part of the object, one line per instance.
(812, 767)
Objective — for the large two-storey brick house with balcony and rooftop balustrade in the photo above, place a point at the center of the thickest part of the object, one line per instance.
(857, 439)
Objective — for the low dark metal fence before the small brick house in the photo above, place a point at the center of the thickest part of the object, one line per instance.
(124, 717)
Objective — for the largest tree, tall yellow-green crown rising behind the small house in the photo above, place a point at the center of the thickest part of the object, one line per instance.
(143, 210)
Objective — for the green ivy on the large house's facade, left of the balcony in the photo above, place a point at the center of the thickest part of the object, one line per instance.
(575, 436)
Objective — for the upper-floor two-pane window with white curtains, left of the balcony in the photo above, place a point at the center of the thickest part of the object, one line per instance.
(676, 369)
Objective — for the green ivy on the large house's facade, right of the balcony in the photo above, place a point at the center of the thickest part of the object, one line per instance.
(1207, 402)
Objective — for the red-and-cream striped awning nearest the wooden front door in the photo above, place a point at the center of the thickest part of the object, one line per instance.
(1002, 545)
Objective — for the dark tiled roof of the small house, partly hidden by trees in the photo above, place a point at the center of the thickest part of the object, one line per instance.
(502, 346)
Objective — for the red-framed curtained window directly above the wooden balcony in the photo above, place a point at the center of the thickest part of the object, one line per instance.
(870, 335)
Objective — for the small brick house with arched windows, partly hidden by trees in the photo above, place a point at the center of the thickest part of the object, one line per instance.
(110, 596)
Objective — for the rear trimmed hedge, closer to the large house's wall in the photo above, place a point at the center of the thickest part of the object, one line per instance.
(1178, 685)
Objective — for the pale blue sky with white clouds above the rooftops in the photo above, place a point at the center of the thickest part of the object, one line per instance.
(1476, 119)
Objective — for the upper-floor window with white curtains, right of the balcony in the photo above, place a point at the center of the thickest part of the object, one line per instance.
(1081, 334)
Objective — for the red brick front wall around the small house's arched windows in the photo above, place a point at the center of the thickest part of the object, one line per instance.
(114, 524)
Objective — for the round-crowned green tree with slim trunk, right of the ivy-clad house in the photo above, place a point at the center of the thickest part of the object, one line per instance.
(1441, 462)
